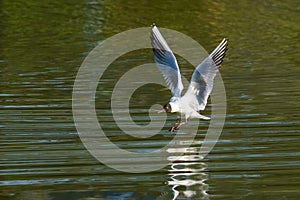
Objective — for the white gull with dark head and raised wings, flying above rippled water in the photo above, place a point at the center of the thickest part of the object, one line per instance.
(201, 85)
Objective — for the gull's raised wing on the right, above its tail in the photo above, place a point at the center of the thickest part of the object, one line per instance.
(203, 78)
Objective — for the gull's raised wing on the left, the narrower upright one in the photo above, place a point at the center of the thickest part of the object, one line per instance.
(166, 62)
